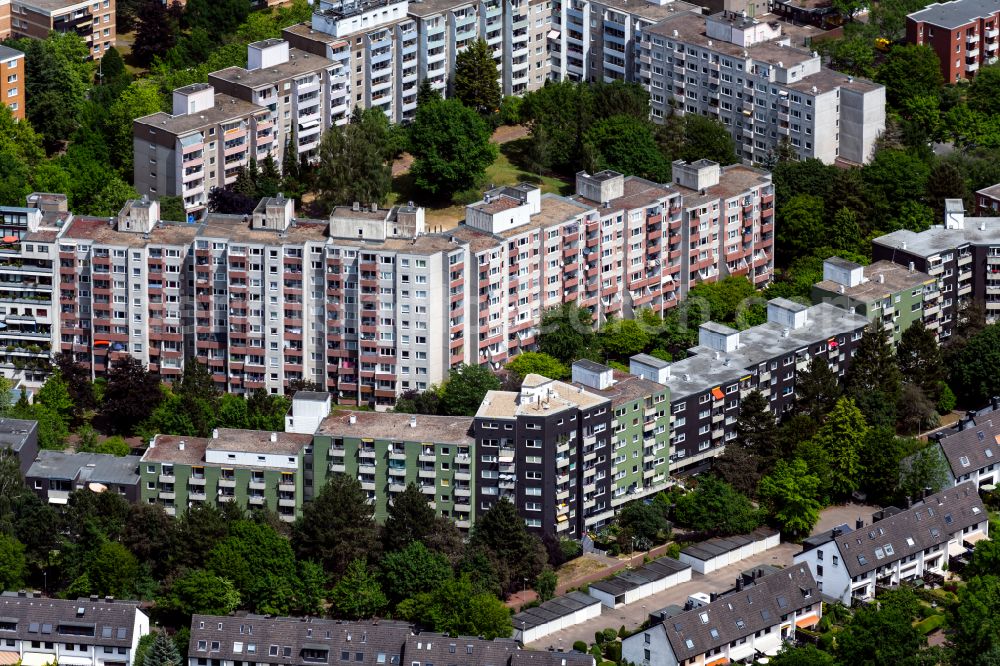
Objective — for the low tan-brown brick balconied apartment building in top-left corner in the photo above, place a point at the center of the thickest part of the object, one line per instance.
(93, 20)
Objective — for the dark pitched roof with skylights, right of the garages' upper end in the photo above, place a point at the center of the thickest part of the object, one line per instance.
(925, 525)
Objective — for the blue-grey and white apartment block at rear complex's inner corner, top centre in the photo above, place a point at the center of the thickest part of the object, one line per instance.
(598, 40)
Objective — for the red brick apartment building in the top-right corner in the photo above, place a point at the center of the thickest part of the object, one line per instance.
(963, 33)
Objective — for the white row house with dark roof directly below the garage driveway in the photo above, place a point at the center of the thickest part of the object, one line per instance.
(752, 620)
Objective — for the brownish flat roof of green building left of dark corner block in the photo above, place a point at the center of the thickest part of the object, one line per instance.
(396, 426)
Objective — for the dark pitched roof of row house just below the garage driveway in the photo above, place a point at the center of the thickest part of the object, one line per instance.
(741, 612)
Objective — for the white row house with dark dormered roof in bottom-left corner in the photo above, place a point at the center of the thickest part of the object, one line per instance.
(36, 630)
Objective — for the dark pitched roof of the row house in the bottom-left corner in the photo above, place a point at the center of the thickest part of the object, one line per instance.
(103, 622)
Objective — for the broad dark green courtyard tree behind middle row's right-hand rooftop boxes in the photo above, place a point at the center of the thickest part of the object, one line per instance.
(625, 144)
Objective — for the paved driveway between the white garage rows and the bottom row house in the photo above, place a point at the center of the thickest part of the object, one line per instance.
(635, 614)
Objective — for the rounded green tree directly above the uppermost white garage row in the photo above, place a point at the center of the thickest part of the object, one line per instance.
(715, 507)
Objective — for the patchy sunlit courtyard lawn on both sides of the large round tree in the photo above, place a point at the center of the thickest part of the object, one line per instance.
(503, 171)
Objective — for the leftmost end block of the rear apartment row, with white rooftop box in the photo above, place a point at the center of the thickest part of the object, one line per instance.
(200, 146)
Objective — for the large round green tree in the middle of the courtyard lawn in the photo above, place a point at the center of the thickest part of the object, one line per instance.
(451, 147)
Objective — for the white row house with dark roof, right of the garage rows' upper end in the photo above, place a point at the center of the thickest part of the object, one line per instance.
(896, 546)
